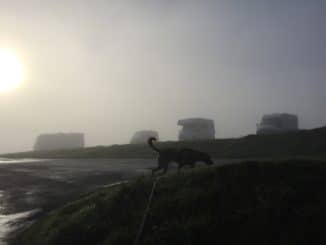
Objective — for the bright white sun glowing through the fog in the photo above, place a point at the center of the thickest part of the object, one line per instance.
(11, 70)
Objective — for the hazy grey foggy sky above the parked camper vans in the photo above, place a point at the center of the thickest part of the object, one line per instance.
(110, 68)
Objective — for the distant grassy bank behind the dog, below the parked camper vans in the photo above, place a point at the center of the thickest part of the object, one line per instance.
(305, 143)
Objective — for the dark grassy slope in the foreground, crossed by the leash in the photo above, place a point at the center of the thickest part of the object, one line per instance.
(248, 203)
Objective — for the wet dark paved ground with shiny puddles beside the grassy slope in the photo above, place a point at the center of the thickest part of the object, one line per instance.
(29, 188)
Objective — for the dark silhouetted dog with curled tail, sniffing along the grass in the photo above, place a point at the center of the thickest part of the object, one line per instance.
(182, 157)
